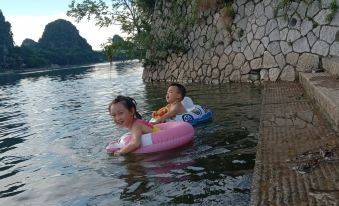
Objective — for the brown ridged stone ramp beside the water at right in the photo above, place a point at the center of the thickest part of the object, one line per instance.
(297, 161)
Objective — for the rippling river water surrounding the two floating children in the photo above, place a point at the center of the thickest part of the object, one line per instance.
(54, 127)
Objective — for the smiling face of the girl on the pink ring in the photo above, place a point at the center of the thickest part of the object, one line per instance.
(121, 116)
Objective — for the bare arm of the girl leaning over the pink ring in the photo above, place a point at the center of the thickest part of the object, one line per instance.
(135, 142)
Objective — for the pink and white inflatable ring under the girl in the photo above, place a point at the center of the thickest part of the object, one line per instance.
(170, 136)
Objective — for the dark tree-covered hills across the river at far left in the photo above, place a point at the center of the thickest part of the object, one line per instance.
(60, 44)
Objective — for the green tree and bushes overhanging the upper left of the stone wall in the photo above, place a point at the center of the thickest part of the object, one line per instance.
(135, 18)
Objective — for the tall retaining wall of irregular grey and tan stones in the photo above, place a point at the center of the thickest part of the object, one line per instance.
(261, 46)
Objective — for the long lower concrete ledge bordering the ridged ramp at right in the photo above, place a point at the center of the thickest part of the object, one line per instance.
(324, 89)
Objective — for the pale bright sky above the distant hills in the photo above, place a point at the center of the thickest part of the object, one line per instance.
(28, 19)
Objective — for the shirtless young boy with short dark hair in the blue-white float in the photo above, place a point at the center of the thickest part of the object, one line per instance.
(175, 94)
